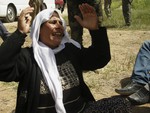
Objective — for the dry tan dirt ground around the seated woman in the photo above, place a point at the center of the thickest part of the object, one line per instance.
(123, 43)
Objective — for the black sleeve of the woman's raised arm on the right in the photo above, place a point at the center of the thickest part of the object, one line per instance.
(98, 54)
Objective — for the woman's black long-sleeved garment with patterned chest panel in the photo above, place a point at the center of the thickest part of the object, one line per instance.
(18, 64)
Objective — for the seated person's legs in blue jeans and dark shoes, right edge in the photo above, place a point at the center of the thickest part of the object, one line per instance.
(138, 89)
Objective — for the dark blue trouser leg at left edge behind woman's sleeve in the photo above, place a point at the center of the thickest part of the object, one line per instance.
(3, 31)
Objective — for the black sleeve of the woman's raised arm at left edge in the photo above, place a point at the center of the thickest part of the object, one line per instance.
(9, 51)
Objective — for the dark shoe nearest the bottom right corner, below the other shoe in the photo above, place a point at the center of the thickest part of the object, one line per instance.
(140, 97)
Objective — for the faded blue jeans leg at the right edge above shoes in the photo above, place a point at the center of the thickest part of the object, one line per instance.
(141, 71)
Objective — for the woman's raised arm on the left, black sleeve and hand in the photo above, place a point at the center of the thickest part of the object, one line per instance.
(11, 47)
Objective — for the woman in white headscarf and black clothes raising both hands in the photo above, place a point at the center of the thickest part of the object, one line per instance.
(50, 72)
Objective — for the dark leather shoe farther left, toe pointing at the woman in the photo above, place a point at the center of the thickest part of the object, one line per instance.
(129, 89)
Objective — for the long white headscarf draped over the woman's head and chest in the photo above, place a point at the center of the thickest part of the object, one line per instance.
(45, 57)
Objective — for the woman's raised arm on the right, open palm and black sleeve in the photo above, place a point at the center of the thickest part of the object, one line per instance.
(98, 54)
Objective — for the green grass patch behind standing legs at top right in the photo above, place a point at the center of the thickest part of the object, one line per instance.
(139, 14)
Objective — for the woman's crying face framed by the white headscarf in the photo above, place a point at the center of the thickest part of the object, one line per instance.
(52, 31)
